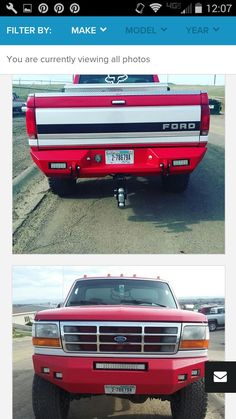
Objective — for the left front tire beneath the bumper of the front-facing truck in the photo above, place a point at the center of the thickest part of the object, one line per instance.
(49, 401)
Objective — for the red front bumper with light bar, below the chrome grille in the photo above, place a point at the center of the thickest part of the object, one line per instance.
(80, 377)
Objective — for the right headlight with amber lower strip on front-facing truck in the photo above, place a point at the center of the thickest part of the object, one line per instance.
(194, 337)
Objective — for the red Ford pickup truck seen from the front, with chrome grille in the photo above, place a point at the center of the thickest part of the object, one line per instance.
(124, 337)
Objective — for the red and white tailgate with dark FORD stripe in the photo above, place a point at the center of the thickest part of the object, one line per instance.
(117, 116)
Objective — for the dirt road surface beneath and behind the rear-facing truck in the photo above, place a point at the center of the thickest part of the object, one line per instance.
(154, 222)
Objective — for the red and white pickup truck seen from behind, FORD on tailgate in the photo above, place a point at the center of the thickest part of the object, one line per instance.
(117, 125)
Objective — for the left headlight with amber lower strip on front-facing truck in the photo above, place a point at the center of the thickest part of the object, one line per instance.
(46, 334)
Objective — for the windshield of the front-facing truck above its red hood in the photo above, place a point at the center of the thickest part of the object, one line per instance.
(121, 291)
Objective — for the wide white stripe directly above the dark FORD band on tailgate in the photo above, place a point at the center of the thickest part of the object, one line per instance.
(124, 114)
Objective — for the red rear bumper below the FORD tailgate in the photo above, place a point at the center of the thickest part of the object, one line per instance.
(147, 161)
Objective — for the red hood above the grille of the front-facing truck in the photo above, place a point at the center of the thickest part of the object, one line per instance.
(120, 313)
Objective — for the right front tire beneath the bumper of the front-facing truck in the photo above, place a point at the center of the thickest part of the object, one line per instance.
(190, 402)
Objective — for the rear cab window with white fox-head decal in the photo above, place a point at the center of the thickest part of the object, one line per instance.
(115, 78)
